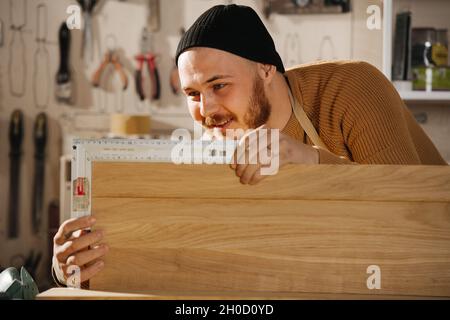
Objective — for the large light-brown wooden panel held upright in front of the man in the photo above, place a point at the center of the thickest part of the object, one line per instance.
(194, 229)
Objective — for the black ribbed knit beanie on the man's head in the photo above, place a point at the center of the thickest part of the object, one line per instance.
(233, 28)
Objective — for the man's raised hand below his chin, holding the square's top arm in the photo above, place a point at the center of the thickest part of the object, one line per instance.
(265, 144)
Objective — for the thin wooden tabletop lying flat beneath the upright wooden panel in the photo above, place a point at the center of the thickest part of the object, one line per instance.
(77, 294)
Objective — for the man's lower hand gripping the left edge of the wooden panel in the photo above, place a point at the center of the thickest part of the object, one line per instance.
(76, 247)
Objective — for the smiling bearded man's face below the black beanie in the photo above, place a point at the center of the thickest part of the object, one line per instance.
(223, 90)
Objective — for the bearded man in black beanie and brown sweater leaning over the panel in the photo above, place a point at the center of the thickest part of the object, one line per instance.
(328, 113)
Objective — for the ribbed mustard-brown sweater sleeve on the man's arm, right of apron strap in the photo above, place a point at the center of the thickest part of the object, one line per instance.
(374, 127)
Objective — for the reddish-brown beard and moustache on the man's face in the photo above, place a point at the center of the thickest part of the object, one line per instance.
(258, 112)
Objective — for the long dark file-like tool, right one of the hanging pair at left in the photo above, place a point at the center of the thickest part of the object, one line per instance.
(40, 140)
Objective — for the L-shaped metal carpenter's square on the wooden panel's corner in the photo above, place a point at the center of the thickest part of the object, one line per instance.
(87, 151)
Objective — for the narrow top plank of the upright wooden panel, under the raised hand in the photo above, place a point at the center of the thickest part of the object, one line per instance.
(325, 182)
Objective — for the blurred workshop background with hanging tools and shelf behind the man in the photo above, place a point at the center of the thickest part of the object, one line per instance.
(106, 68)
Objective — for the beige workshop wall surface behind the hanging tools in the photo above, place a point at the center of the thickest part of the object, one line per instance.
(118, 25)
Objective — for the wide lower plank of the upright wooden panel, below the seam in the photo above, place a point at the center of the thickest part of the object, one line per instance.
(241, 245)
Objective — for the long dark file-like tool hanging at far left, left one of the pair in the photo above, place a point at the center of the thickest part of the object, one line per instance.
(15, 141)
